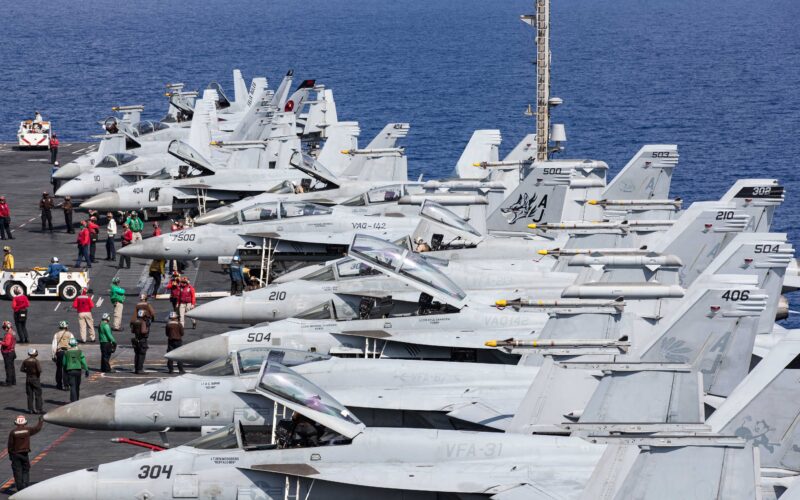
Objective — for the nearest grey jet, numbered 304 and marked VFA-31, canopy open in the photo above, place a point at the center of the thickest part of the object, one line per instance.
(325, 451)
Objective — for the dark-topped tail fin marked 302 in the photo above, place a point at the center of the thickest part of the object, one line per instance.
(759, 198)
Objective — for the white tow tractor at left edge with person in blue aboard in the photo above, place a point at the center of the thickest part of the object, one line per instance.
(69, 286)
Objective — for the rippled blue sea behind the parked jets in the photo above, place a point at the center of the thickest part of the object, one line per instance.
(718, 77)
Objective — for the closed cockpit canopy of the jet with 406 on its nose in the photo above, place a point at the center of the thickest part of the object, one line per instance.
(250, 361)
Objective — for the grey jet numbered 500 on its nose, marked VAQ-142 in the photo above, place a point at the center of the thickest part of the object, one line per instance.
(327, 239)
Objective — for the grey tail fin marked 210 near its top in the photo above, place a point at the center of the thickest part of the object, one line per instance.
(699, 235)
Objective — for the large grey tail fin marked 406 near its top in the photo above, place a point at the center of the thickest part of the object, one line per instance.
(713, 329)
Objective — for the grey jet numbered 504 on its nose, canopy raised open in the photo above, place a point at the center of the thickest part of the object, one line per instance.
(440, 321)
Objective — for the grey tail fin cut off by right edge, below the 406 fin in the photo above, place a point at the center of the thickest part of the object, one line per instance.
(765, 408)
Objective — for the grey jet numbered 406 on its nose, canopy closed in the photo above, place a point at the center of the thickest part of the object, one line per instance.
(430, 392)
